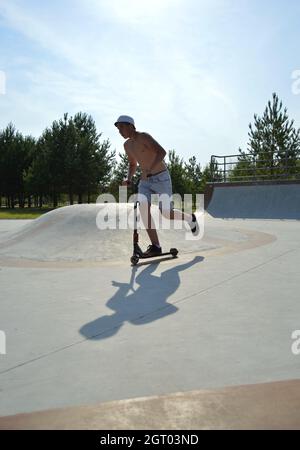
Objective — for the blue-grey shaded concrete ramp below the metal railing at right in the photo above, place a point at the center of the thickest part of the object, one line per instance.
(253, 201)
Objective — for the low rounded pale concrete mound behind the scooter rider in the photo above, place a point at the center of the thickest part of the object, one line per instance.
(71, 237)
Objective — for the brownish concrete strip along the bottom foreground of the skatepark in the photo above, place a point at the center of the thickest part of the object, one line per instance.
(262, 406)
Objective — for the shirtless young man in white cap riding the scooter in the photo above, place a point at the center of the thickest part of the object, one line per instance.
(142, 149)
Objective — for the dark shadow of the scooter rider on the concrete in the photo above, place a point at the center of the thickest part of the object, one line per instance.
(142, 300)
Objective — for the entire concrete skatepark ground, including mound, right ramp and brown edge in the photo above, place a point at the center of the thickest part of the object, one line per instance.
(209, 340)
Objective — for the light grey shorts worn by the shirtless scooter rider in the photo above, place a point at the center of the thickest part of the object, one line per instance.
(157, 184)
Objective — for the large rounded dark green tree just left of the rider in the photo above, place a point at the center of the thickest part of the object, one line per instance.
(72, 160)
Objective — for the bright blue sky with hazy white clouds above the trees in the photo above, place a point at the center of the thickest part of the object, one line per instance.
(191, 72)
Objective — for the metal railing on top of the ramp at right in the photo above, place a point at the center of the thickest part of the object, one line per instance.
(247, 167)
